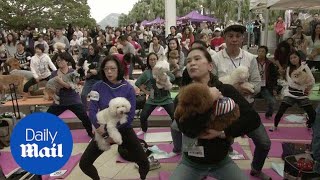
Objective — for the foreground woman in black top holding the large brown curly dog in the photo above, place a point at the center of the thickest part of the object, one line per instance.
(212, 145)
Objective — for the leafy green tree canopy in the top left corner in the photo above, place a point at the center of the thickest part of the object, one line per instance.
(18, 14)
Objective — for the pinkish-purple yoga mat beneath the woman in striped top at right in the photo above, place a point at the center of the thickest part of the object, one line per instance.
(294, 133)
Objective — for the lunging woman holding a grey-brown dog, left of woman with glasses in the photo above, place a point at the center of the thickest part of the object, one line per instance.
(69, 98)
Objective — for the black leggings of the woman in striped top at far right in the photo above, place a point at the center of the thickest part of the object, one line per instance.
(284, 106)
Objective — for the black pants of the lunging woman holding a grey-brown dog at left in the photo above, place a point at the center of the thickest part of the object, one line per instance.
(78, 110)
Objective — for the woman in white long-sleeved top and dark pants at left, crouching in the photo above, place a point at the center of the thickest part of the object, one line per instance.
(40, 64)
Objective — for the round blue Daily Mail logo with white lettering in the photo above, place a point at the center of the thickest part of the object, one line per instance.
(41, 143)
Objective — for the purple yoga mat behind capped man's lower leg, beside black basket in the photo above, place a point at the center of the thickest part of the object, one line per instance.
(276, 147)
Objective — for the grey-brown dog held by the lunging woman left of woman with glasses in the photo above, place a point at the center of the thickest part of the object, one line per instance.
(53, 86)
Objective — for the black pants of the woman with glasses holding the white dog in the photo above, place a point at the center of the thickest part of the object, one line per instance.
(130, 141)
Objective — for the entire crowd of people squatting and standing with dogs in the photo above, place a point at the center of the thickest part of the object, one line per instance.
(200, 54)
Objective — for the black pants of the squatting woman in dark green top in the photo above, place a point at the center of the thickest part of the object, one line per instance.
(147, 110)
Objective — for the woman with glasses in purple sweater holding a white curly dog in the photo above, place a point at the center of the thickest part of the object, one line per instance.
(112, 85)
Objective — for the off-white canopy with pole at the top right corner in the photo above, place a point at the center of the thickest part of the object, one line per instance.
(282, 5)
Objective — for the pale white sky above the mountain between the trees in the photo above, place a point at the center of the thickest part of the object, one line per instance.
(101, 8)
